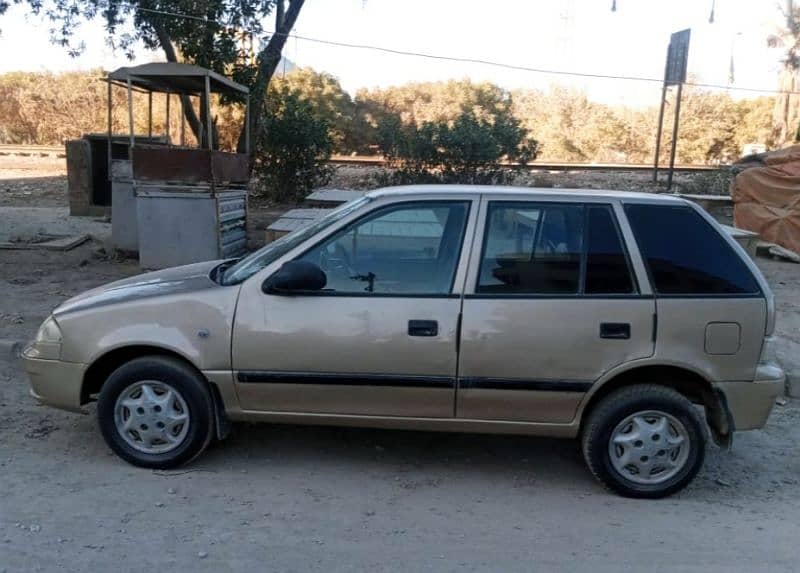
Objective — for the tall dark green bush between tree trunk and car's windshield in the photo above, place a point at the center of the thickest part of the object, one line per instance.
(292, 148)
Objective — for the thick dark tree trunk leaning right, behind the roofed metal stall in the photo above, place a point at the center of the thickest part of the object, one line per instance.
(268, 60)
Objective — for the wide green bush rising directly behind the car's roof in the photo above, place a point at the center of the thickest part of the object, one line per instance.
(466, 150)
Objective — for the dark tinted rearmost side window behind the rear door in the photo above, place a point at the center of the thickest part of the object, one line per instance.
(685, 254)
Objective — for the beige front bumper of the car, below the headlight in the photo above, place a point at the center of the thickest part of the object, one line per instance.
(54, 382)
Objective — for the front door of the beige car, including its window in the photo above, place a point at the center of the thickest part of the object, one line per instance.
(380, 339)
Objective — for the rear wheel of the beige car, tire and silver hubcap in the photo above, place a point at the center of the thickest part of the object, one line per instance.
(658, 464)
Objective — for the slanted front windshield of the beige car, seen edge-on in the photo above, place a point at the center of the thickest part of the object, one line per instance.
(259, 259)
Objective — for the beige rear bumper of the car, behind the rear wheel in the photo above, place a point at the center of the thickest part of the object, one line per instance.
(750, 403)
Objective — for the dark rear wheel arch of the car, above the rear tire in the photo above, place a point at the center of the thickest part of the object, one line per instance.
(690, 383)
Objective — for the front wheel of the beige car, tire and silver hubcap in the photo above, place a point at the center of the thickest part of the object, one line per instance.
(166, 406)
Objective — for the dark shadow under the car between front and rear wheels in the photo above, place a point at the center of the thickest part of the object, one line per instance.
(512, 459)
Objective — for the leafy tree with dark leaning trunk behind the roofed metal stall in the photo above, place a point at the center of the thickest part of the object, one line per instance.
(209, 33)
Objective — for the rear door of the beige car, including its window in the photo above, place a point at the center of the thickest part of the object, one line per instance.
(551, 304)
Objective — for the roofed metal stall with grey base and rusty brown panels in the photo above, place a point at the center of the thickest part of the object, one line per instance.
(172, 203)
